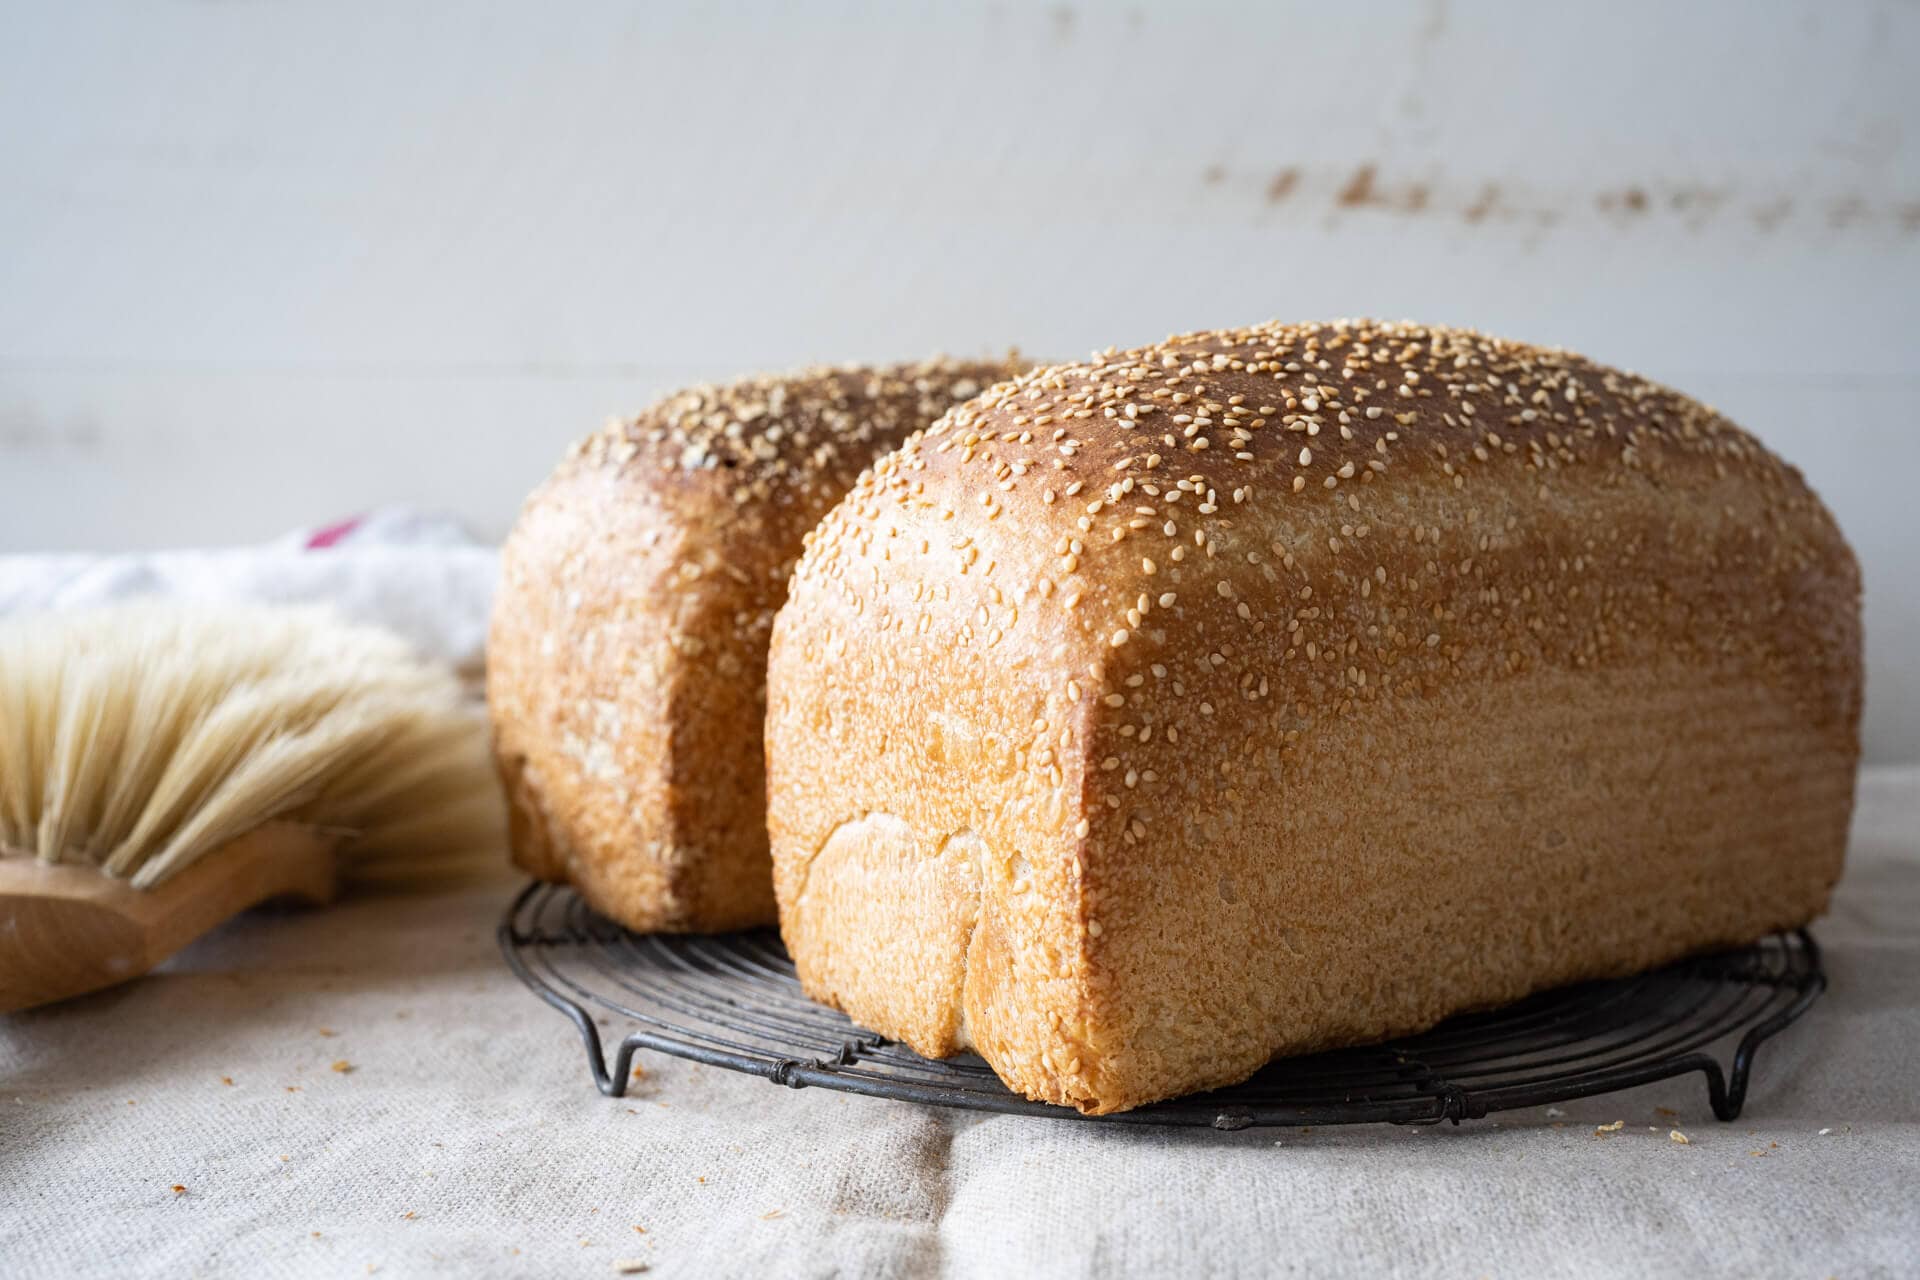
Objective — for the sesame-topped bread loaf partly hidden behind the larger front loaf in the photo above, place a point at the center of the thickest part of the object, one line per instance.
(627, 665)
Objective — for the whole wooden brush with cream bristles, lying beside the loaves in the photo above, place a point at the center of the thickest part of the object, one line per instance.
(166, 767)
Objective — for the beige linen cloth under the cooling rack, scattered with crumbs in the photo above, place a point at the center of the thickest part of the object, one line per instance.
(464, 1137)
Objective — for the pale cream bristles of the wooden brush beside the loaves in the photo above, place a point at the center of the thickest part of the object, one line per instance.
(145, 736)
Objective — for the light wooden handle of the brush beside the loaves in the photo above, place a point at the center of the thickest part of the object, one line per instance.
(68, 930)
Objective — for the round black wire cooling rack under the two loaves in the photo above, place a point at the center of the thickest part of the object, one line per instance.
(732, 1001)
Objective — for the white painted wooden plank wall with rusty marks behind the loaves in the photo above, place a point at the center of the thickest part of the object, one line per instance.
(272, 264)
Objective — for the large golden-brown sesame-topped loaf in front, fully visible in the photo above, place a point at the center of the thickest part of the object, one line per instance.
(1299, 686)
